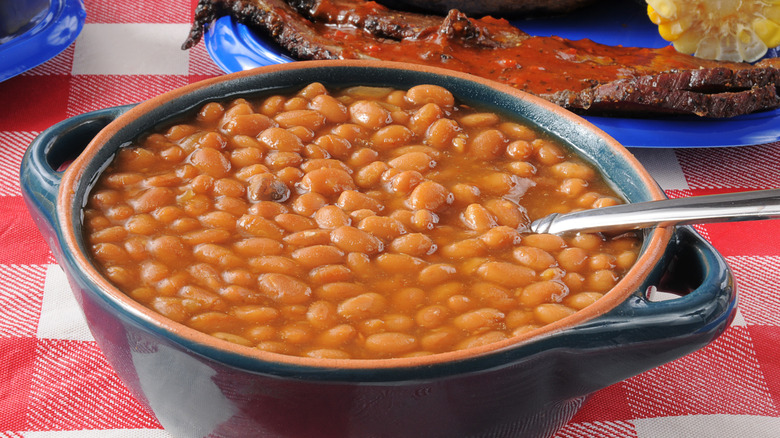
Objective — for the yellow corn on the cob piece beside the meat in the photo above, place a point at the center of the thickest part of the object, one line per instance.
(727, 30)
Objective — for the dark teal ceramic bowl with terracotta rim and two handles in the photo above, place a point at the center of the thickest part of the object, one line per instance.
(529, 386)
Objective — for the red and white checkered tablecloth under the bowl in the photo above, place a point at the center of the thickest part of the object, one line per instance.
(55, 382)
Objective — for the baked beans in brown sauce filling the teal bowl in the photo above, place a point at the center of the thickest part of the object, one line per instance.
(356, 223)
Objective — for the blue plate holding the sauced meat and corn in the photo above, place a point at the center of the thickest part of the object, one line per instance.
(234, 47)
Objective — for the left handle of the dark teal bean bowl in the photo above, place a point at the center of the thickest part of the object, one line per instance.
(49, 154)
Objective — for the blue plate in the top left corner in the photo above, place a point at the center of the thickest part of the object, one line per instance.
(51, 32)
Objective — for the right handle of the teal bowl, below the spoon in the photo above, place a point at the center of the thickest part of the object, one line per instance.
(706, 305)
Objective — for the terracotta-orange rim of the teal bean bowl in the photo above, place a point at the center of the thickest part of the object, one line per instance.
(654, 247)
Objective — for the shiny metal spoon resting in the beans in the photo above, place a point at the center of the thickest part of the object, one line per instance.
(729, 207)
